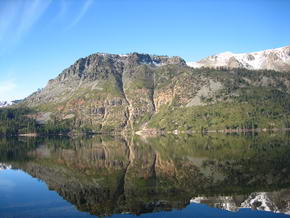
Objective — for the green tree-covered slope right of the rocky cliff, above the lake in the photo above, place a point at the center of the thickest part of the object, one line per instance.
(243, 103)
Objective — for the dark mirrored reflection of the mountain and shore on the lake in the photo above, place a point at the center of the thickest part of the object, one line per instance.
(106, 175)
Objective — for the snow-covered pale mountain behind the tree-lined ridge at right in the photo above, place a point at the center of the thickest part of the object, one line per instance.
(273, 59)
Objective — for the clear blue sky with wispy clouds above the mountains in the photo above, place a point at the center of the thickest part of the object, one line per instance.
(40, 38)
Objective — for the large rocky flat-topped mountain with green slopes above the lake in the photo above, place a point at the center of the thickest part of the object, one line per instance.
(104, 92)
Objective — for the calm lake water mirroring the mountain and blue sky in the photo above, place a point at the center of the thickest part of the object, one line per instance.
(167, 176)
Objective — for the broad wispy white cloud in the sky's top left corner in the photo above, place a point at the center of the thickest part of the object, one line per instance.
(17, 17)
